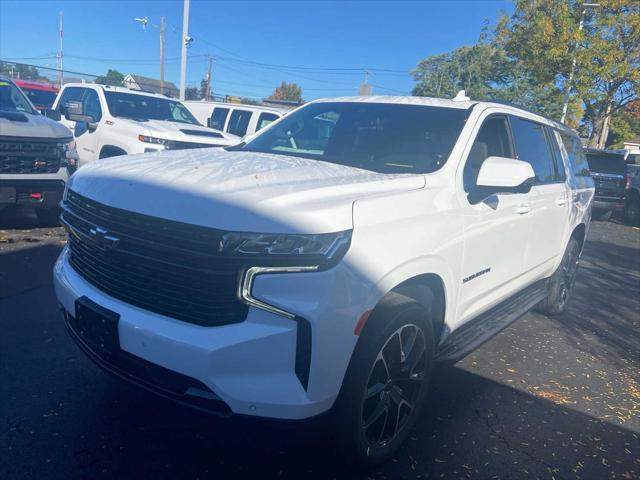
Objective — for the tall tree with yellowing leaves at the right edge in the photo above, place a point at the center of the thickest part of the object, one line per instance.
(543, 37)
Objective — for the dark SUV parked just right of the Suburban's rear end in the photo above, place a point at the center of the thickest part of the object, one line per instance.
(609, 173)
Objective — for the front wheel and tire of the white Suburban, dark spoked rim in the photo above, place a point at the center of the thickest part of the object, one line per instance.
(368, 394)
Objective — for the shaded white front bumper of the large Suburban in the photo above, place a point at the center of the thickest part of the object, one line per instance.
(249, 366)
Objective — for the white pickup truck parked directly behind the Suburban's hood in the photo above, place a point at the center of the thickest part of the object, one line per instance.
(109, 121)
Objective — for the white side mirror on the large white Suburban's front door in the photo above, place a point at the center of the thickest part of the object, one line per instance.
(500, 173)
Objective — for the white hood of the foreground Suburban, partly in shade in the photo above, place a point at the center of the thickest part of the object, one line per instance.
(239, 191)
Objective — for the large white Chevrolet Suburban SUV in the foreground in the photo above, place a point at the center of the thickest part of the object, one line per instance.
(328, 263)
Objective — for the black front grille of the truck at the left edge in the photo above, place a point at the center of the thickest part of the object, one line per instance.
(27, 157)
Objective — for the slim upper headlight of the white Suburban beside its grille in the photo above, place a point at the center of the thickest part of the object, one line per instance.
(324, 249)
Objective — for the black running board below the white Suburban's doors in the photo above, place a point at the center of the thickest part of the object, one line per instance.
(475, 332)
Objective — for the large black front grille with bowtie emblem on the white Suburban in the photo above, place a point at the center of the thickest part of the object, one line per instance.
(163, 266)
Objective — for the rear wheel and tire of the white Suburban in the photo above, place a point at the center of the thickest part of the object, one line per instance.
(560, 284)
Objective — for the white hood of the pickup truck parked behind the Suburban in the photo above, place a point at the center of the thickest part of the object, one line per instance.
(174, 131)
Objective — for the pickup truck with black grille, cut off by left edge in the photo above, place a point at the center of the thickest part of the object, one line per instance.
(37, 155)
